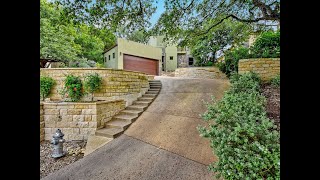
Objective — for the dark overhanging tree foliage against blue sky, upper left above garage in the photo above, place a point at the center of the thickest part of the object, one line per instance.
(111, 13)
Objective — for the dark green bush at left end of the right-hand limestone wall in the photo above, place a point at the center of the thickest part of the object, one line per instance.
(232, 58)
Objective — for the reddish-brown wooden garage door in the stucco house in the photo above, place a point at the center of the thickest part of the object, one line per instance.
(134, 63)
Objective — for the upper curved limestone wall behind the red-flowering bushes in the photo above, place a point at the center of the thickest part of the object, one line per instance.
(116, 85)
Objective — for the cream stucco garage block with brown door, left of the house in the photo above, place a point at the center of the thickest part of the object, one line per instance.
(133, 56)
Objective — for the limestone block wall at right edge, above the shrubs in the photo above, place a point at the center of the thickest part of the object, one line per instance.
(267, 68)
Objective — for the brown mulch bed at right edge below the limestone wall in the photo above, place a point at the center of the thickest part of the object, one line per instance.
(272, 95)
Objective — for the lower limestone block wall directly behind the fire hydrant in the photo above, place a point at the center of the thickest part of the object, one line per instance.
(78, 120)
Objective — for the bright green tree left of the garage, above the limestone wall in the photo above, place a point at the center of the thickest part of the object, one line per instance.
(66, 40)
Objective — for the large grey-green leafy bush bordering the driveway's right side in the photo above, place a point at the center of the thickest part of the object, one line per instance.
(242, 136)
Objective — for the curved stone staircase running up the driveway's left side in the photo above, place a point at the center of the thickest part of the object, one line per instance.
(120, 122)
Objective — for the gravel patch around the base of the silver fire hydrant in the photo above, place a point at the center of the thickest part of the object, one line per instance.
(49, 165)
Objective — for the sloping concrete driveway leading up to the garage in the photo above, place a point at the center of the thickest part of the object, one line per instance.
(163, 143)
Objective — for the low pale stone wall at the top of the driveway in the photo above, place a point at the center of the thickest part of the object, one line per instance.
(200, 72)
